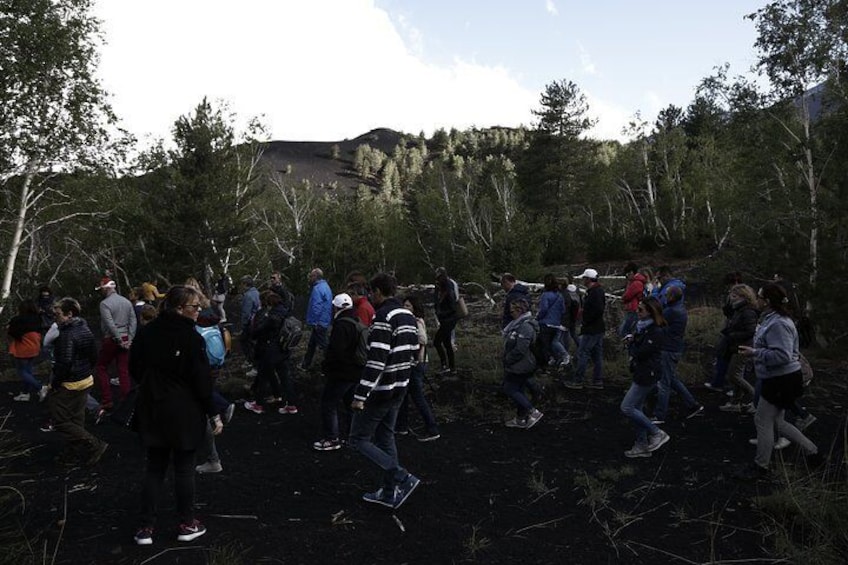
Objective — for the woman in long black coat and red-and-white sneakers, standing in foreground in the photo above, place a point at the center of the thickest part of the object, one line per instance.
(168, 360)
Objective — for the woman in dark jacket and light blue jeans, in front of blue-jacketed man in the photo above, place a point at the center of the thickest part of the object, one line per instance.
(645, 365)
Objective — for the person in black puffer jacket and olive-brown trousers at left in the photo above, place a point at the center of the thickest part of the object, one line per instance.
(74, 356)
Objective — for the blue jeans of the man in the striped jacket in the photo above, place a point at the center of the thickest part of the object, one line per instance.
(372, 433)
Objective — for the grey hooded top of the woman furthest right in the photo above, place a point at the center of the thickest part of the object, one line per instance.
(775, 346)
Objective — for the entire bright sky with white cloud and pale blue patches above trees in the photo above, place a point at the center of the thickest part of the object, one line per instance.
(328, 70)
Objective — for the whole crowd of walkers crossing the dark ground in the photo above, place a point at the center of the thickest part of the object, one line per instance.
(375, 361)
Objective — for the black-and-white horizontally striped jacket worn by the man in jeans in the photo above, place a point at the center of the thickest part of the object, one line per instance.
(392, 350)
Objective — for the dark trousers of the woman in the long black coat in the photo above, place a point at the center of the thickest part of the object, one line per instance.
(157, 466)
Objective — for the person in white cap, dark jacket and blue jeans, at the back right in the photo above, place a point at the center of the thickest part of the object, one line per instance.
(591, 334)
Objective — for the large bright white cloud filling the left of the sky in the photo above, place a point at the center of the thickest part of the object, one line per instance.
(317, 70)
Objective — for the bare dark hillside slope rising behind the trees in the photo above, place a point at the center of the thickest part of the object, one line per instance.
(313, 161)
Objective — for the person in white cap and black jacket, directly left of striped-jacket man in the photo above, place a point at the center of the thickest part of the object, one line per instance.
(341, 368)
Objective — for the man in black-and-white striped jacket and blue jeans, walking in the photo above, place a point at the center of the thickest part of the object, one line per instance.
(392, 350)
